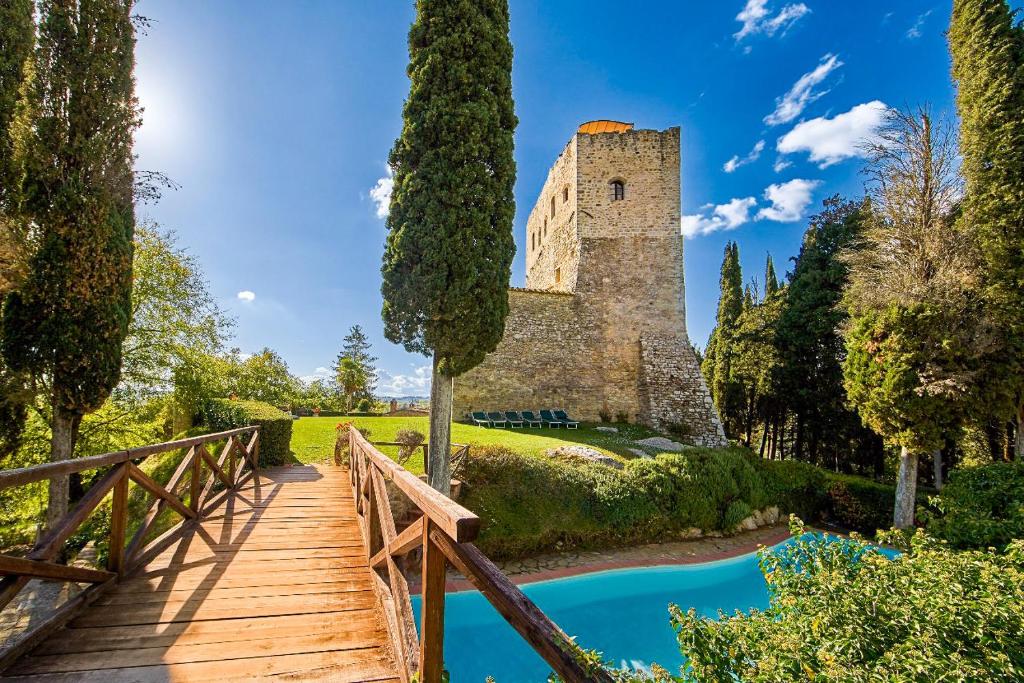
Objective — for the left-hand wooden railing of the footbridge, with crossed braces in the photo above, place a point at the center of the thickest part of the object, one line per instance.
(238, 461)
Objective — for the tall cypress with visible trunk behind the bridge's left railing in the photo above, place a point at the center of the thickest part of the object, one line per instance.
(68, 321)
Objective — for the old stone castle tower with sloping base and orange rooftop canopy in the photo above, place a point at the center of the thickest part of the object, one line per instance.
(601, 328)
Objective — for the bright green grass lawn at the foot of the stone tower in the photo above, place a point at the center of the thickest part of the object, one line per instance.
(313, 439)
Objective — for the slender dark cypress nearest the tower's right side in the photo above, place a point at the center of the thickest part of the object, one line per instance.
(717, 366)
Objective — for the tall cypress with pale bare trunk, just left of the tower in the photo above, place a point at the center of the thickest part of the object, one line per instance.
(450, 247)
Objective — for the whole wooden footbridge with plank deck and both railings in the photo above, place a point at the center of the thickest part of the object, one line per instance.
(292, 573)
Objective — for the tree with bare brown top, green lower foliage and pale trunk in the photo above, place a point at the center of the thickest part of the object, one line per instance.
(913, 329)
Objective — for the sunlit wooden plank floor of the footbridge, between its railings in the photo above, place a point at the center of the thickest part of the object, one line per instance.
(274, 583)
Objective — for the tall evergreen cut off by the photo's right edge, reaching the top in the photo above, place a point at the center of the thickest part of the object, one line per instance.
(988, 54)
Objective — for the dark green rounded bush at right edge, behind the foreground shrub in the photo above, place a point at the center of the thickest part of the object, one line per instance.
(980, 507)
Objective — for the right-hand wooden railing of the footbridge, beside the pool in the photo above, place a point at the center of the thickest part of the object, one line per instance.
(442, 534)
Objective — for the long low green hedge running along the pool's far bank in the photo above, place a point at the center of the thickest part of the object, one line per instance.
(533, 505)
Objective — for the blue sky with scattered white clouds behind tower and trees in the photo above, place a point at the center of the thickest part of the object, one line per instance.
(276, 120)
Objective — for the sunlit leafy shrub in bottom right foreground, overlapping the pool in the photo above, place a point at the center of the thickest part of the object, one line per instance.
(959, 616)
